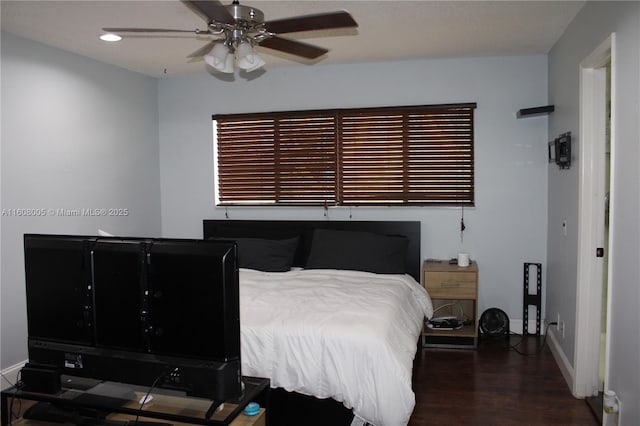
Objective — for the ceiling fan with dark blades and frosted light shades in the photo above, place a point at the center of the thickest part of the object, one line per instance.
(238, 29)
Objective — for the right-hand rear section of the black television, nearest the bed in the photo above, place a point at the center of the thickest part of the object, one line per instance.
(182, 283)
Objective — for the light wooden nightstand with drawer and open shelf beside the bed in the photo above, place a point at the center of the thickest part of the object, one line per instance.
(454, 292)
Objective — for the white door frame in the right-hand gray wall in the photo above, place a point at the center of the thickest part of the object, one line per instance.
(593, 82)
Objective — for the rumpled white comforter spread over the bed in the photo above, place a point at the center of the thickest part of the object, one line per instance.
(346, 335)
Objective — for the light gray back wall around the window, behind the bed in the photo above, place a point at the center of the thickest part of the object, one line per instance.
(505, 229)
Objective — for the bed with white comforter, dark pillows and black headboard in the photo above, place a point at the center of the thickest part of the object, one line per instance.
(330, 311)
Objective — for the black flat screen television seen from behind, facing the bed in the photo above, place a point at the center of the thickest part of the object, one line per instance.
(161, 312)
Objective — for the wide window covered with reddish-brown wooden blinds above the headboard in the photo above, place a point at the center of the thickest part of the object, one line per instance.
(417, 155)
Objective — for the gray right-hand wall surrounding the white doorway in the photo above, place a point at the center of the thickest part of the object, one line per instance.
(592, 26)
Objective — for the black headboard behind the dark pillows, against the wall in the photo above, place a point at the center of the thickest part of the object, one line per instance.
(280, 229)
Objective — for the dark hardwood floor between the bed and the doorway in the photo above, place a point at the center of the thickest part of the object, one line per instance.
(494, 386)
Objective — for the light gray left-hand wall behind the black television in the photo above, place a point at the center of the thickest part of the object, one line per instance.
(76, 133)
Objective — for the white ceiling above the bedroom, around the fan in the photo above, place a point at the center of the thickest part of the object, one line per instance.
(388, 30)
